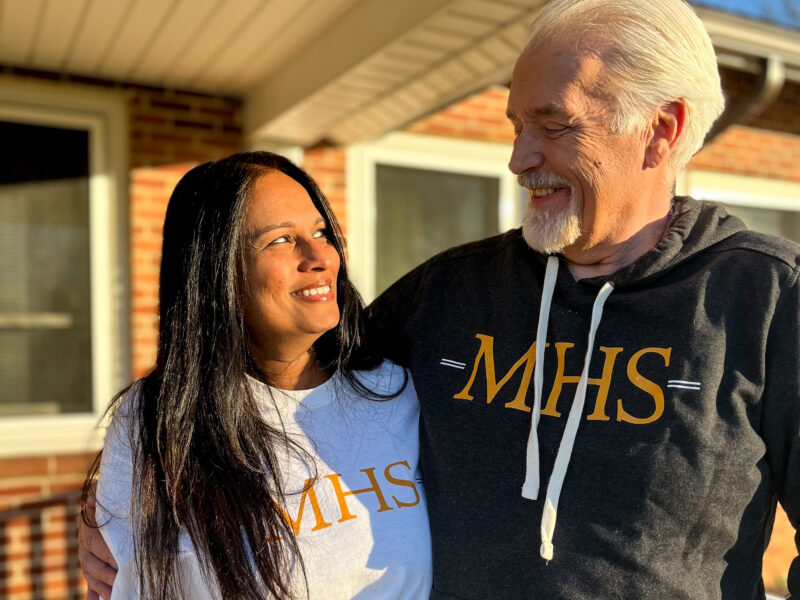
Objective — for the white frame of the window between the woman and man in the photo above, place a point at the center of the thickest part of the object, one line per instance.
(415, 151)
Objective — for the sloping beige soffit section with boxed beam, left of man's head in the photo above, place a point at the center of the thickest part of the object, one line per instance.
(444, 51)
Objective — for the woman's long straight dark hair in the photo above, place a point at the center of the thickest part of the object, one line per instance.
(205, 460)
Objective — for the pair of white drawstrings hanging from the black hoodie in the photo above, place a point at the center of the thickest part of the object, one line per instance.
(530, 488)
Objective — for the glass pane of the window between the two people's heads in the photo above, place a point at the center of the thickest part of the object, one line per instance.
(422, 212)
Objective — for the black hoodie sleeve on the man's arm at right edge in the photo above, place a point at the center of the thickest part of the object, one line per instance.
(781, 413)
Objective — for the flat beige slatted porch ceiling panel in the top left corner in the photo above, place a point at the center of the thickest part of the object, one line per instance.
(222, 47)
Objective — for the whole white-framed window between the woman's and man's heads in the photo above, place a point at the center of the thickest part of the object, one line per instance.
(412, 196)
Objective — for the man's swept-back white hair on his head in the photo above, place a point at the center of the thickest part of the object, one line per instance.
(655, 52)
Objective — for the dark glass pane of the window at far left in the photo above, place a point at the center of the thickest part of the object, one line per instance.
(45, 335)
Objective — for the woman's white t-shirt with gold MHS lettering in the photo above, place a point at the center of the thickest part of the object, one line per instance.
(362, 527)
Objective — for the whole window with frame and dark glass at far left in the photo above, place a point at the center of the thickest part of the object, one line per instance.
(62, 350)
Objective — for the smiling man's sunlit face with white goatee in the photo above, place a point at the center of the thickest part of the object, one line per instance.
(582, 178)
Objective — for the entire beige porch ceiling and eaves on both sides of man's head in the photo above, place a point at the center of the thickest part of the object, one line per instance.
(342, 70)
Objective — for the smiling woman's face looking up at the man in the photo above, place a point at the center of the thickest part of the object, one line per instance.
(290, 295)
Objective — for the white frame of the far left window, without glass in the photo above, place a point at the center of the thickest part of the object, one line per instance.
(104, 115)
